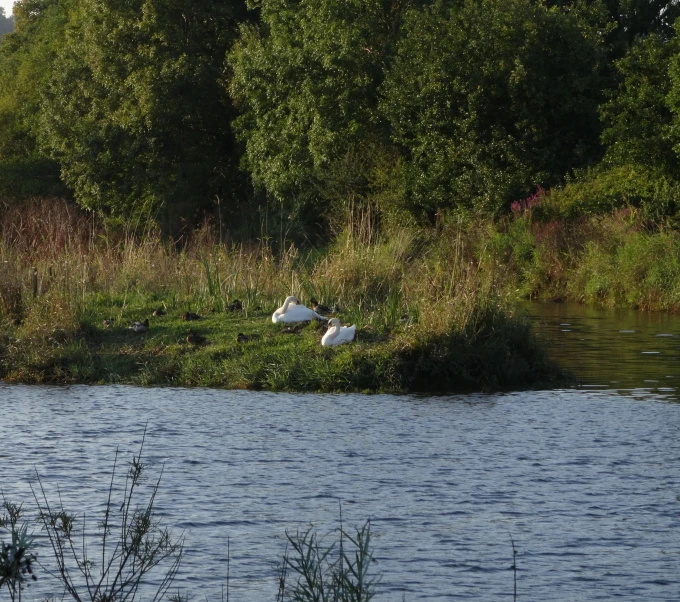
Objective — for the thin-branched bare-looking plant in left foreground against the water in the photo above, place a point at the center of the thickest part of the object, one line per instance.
(130, 544)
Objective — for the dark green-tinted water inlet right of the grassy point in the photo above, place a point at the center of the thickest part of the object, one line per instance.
(617, 349)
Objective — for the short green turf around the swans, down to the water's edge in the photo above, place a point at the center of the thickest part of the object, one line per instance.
(498, 351)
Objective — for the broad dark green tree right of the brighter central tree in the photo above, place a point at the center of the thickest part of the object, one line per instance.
(489, 100)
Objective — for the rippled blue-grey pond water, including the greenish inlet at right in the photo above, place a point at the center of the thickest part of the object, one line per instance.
(585, 481)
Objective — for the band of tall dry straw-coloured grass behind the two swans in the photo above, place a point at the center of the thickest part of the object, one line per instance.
(382, 279)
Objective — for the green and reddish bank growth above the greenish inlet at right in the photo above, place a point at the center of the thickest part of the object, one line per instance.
(616, 259)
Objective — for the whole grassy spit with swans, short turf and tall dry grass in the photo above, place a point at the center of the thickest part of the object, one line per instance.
(429, 315)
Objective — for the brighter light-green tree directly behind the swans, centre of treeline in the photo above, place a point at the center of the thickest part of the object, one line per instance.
(307, 84)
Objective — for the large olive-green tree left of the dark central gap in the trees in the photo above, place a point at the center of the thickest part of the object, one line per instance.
(136, 112)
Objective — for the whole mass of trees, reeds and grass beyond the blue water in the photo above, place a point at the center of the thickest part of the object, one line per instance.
(421, 163)
